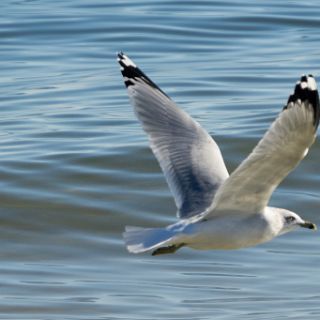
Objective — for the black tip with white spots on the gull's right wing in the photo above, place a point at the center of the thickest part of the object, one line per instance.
(306, 91)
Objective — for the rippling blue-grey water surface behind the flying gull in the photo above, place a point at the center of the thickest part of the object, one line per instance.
(75, 165)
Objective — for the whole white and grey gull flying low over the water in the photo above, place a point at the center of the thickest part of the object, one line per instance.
(217, 210)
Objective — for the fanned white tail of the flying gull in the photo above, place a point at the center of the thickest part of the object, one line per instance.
(139, 240)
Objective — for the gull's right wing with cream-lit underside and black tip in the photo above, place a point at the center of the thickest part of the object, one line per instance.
(249, 187)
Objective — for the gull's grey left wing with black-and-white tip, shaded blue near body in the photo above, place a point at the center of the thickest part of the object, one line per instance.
(190, 159)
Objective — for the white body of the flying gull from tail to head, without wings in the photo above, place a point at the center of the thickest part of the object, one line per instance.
(223, 232)
